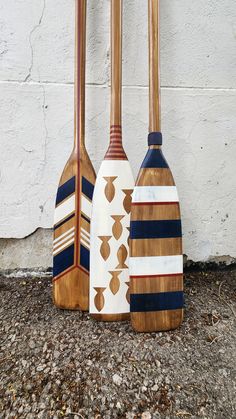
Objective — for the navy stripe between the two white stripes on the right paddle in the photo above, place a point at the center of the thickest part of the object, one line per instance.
(152, 229)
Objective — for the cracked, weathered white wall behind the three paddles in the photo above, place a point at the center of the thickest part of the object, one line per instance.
(198, 78)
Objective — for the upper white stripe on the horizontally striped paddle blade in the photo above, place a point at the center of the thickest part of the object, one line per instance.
(155, 194)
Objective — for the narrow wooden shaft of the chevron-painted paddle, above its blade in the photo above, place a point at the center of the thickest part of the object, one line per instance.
(80, 54)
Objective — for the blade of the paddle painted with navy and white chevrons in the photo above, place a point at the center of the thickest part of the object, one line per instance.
(72, 234)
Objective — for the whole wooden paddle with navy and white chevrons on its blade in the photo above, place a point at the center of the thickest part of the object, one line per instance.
(74, 198)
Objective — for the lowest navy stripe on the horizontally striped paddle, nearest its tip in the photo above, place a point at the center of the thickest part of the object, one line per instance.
(156, 302)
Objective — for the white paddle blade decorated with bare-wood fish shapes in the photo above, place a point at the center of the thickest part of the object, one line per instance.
(109, 277)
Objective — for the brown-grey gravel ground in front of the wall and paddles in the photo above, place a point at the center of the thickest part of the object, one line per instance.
(58, 364)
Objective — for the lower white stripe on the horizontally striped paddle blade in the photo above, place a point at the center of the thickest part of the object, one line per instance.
(155, 265)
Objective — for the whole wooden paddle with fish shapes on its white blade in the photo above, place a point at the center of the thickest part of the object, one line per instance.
(109, 277)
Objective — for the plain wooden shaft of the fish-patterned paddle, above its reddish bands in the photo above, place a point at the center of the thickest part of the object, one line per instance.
(116, 61)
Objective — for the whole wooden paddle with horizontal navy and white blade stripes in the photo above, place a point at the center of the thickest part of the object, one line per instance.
(156, 262)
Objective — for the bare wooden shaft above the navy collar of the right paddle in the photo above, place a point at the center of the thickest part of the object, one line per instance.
(154, 73)
